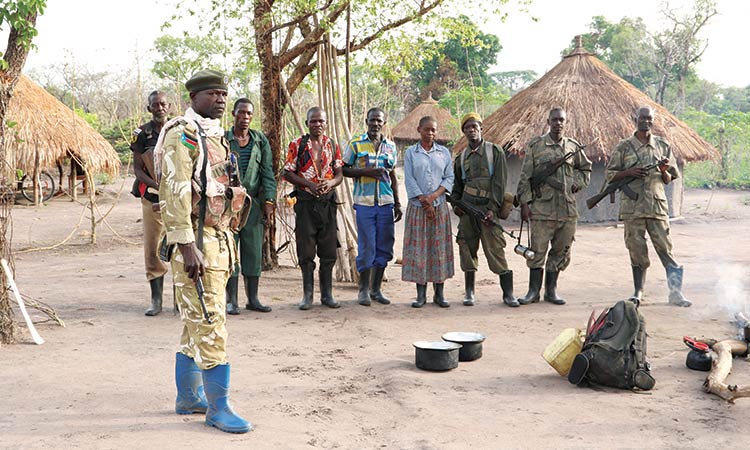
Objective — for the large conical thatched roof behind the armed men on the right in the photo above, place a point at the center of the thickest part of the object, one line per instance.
(600, 107)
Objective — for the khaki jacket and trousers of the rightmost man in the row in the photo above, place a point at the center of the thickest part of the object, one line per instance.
(649, 212)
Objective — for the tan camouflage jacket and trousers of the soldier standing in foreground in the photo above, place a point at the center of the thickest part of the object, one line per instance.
(203, 342)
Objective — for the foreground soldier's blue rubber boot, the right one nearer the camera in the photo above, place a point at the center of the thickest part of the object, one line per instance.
(220, 413)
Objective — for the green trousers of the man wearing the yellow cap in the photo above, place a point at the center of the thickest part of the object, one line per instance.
(470, 234)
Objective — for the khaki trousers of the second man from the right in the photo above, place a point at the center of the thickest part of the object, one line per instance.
(558, 237)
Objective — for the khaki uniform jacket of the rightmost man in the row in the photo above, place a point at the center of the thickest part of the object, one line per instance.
(652, 199)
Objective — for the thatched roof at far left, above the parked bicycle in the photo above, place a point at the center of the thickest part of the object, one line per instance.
(45, 124)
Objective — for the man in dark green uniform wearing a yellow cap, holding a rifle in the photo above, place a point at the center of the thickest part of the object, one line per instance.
(481, 173)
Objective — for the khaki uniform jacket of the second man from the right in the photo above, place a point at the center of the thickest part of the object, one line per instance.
(553, 204)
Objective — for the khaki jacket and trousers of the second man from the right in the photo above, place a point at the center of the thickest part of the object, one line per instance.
(554, 214)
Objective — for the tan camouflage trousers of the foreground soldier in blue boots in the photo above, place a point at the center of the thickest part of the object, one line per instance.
(202, 341)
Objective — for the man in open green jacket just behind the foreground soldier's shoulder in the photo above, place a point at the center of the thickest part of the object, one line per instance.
(255, 163)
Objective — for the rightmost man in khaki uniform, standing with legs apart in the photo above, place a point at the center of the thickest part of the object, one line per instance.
(649, 211)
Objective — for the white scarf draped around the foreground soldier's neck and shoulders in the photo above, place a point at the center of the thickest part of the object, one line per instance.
(213, 128)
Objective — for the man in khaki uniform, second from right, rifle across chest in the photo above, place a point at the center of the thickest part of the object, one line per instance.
(551, 210)
